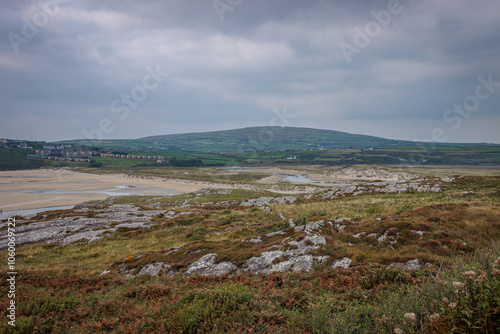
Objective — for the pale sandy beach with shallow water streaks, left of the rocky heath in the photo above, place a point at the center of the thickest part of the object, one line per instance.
(30, 189)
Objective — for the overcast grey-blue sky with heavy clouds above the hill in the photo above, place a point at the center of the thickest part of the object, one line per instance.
(415, 70)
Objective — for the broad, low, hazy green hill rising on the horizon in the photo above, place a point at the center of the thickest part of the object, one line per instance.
(254, 139)
